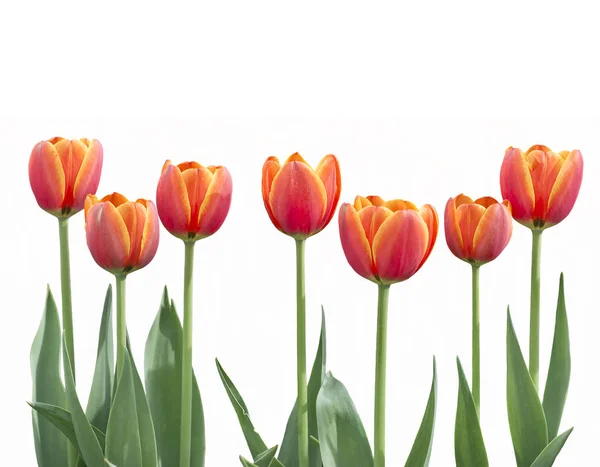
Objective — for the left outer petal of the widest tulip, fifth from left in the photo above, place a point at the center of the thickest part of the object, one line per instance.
(355, 243)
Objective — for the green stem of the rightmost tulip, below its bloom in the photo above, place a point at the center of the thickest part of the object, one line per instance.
(534, 316)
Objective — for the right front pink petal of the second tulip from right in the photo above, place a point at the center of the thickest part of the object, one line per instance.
(493, 233)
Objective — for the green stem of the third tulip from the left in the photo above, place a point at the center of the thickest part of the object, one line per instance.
(186, 365)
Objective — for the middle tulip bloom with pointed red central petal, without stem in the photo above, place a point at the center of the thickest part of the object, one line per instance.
(299, 200)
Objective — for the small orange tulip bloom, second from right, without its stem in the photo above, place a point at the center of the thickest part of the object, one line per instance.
(477, 231)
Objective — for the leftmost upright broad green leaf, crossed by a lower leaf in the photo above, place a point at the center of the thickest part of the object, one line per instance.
(50, 443)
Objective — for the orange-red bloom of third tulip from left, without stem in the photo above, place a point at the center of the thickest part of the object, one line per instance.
(192, 200)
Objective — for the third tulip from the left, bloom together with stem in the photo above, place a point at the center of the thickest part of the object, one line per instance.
(193, 202)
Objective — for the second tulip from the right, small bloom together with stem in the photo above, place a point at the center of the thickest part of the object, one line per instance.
(477, 232)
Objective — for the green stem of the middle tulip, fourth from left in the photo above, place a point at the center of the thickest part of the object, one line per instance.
(301, 356)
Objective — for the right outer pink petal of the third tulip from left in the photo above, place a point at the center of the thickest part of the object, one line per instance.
(217, 201)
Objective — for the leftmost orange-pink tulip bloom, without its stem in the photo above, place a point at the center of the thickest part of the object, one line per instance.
(62, 173)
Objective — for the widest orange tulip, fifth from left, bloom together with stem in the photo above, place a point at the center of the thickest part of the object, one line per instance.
(385, 242)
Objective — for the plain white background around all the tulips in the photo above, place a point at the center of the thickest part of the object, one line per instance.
(156, 82)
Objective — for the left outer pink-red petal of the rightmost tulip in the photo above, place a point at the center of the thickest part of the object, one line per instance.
(517, 186)
